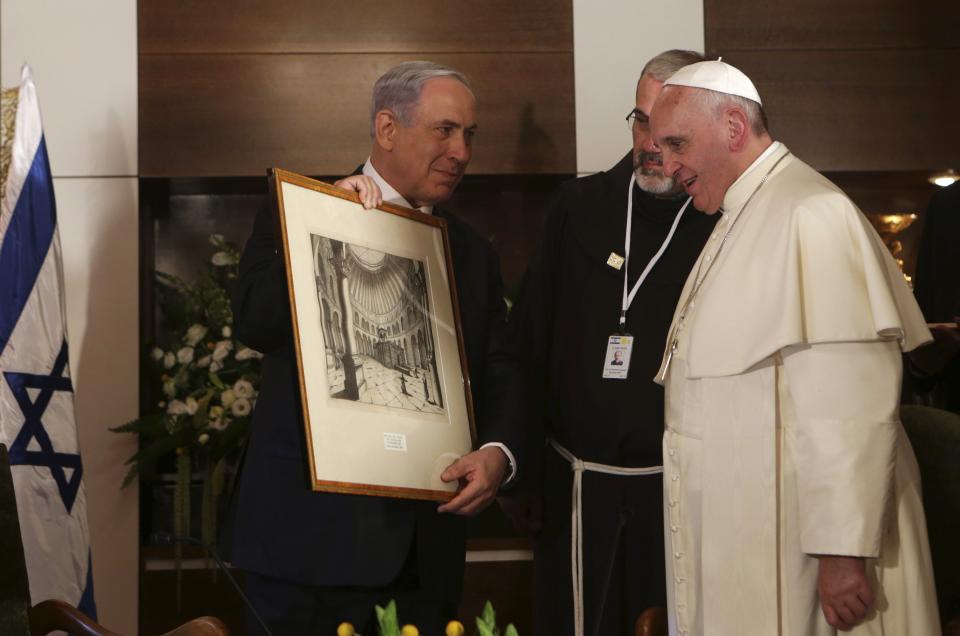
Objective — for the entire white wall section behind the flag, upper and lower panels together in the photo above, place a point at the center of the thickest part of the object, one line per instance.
(84, 61)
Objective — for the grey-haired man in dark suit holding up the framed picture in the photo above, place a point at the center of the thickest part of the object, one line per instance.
(314, 559)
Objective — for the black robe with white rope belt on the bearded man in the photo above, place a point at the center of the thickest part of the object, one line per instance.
(569, 305)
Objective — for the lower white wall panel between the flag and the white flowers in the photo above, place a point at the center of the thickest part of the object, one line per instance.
(98, 233)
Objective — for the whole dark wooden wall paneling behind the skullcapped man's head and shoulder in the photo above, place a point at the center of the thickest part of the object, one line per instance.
(863, 89)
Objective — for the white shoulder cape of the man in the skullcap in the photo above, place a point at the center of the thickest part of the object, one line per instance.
(802, 265)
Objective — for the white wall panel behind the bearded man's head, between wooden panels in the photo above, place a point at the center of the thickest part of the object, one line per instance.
(612, 40)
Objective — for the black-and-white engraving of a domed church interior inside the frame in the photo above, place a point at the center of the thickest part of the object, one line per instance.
(376, 327)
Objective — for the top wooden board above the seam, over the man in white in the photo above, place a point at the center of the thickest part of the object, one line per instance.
(826, 24)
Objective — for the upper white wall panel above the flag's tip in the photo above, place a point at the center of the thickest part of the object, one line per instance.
(84, 61)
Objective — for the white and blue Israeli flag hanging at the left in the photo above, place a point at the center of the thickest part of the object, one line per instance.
(36, 394)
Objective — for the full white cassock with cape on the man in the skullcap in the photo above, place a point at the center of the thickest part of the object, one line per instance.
(783, 438)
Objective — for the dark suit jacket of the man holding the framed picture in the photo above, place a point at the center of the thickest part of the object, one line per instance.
(284, 530)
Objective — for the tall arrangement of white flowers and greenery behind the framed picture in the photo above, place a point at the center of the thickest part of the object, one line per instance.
(203, 384)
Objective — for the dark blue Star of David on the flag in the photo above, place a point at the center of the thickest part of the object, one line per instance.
(33, 429)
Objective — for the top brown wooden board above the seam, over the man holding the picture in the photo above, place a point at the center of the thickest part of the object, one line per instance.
(367, 26)
